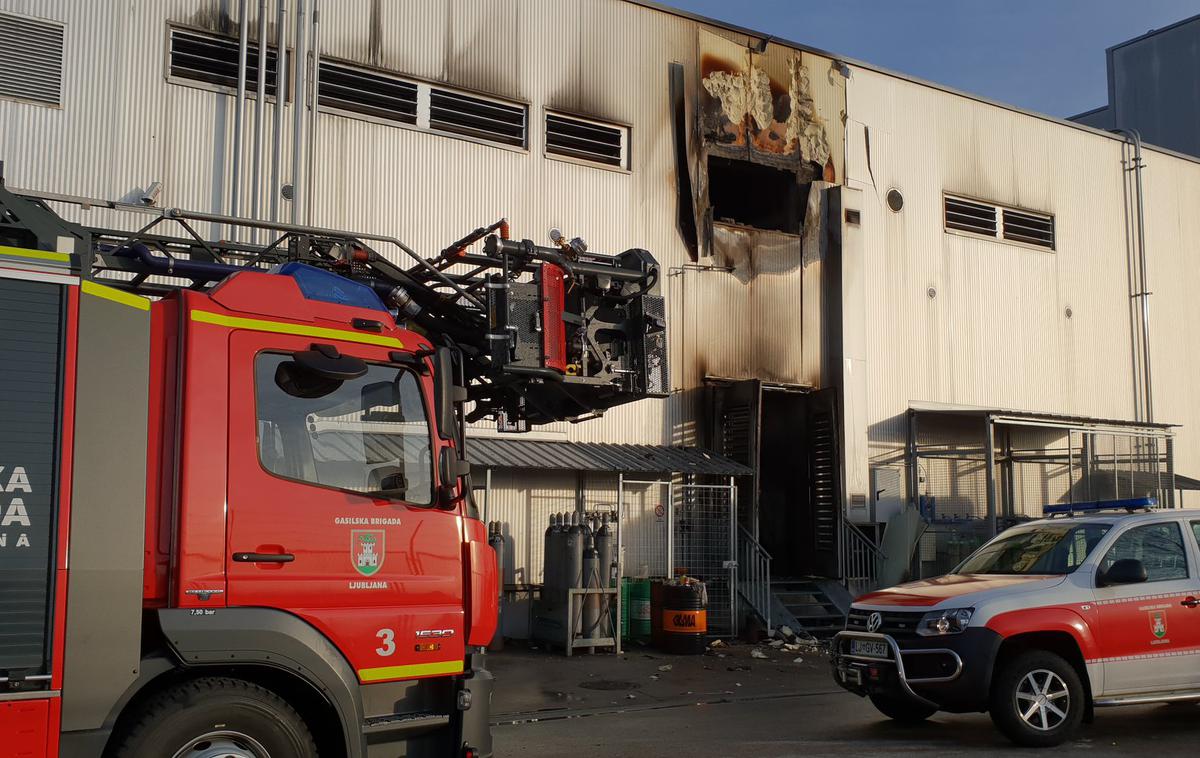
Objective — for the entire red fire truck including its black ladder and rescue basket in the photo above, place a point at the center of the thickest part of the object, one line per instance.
(236, 519)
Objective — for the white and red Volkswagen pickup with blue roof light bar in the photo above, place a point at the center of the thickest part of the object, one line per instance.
(1099, 605)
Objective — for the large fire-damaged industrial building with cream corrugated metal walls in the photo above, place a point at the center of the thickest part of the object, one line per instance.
(899, 316)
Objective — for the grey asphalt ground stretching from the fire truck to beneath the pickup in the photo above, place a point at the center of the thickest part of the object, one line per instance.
(731, 703)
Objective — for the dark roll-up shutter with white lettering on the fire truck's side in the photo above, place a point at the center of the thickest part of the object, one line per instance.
(31, 352)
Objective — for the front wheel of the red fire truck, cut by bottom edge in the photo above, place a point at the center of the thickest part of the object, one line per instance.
(217, 718)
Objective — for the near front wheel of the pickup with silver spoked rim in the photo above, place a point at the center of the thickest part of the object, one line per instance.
(1037, 700)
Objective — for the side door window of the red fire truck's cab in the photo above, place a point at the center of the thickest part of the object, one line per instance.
(368, 435)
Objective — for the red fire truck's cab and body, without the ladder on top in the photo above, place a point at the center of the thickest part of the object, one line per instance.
(232, 522)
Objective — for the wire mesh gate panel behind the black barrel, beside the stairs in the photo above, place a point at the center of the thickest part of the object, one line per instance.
(704, 548)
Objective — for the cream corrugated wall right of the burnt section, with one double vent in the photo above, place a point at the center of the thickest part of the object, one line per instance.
(983, 323)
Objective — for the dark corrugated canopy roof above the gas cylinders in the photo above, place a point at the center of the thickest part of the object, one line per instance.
(490, 453)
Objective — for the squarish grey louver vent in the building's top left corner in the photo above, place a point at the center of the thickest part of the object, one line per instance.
(31, 59)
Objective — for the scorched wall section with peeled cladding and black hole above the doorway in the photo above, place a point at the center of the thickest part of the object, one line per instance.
(769, 143)
